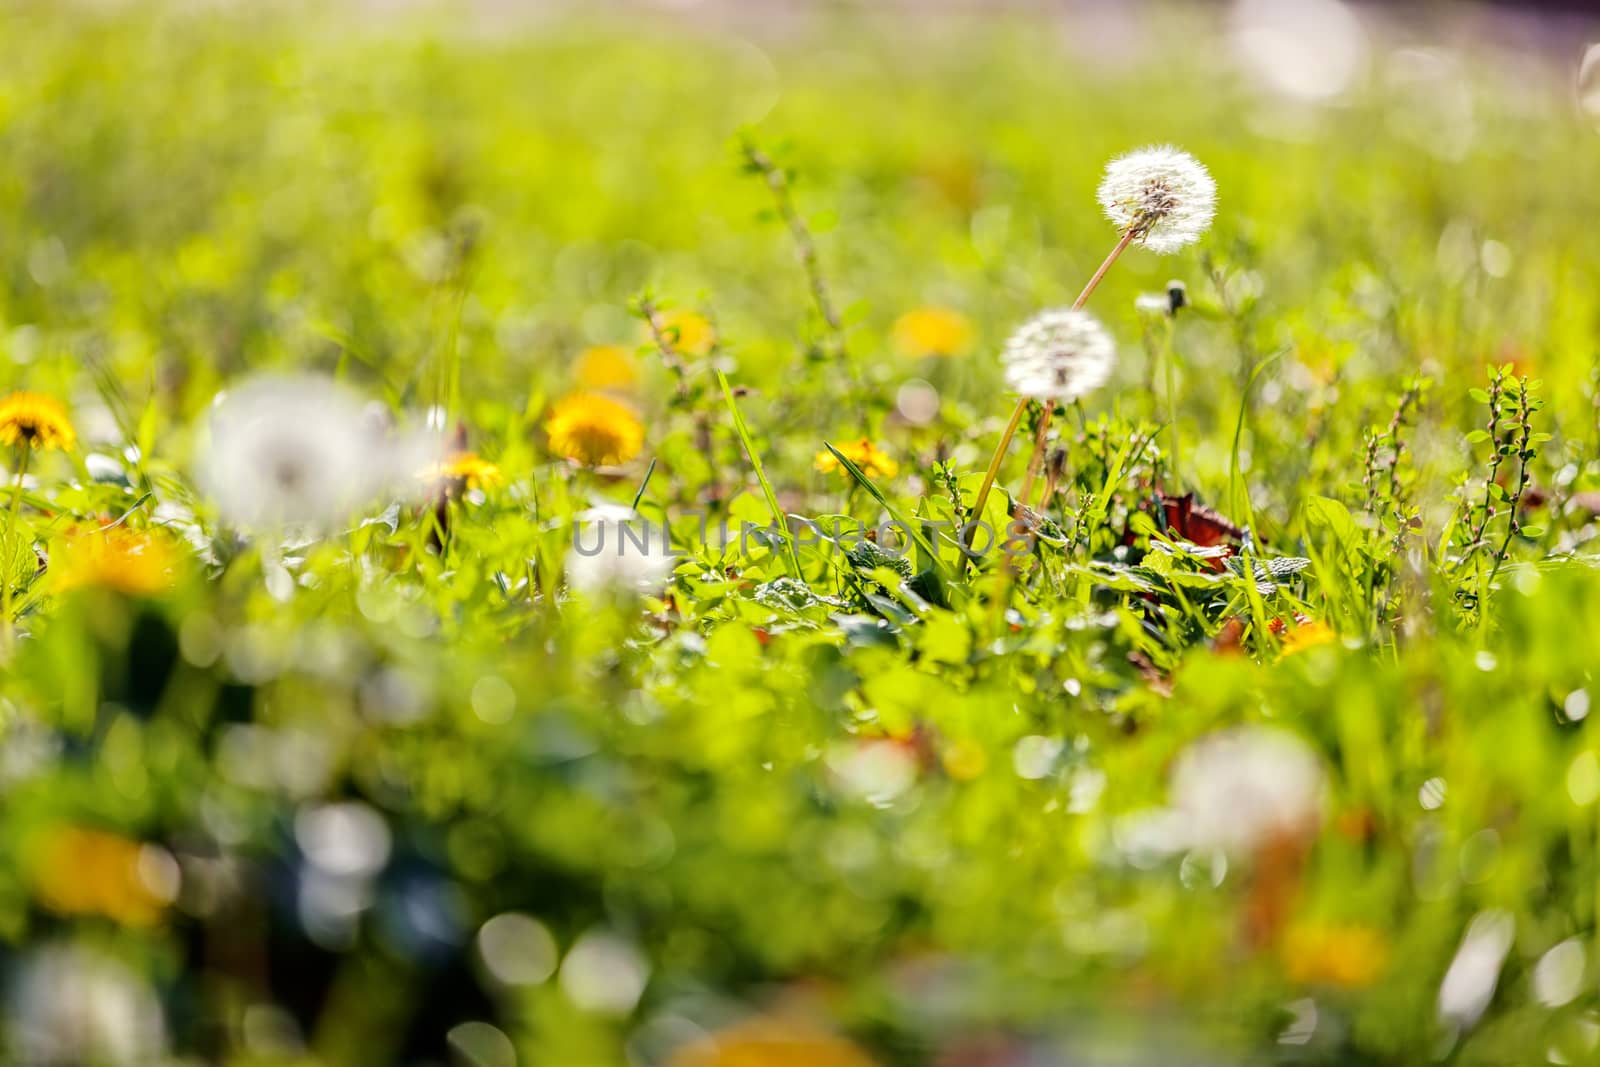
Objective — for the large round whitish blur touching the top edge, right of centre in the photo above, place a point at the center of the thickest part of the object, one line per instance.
(1306, 50)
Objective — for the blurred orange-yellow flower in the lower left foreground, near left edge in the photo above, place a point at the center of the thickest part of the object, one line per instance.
(90, 873)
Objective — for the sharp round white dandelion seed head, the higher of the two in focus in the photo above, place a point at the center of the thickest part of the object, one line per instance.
(1166, 196)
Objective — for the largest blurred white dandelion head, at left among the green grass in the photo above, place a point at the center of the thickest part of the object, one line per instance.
(303, 452)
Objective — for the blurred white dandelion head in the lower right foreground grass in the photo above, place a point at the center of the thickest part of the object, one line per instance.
(1244, 788)
